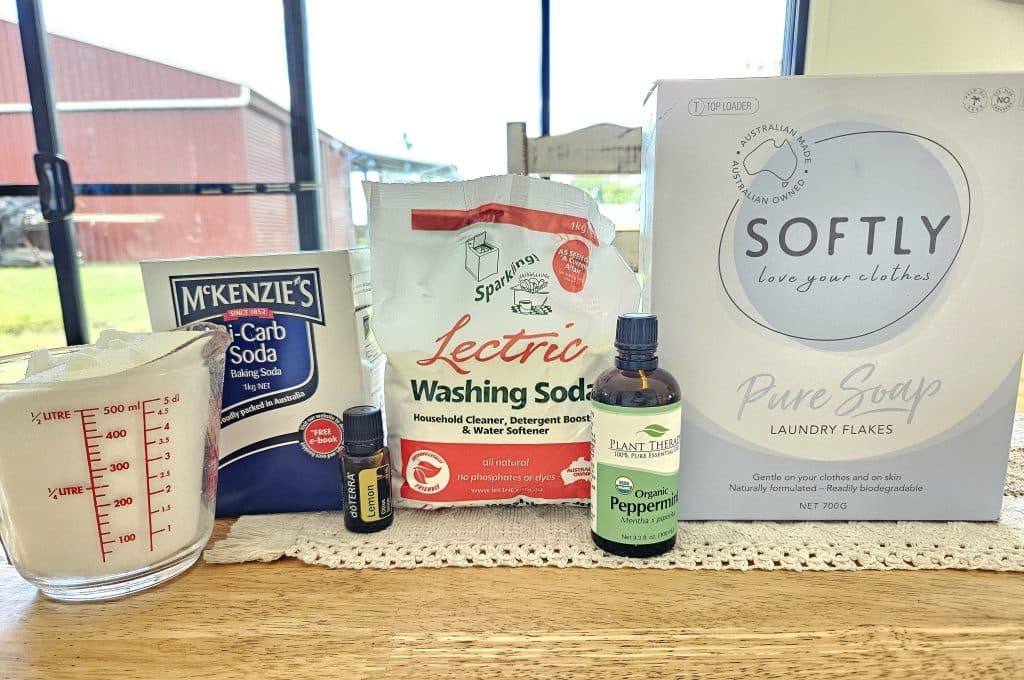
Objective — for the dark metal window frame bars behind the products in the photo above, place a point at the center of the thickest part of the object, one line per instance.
(57, 193)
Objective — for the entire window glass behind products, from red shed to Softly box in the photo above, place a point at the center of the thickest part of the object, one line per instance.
(175, 119)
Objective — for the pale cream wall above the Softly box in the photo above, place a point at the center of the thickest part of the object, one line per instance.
(915, 36)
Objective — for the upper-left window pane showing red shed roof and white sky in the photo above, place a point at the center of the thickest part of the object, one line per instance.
(169, 93)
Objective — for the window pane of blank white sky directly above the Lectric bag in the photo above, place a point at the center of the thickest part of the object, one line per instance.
(423, 91)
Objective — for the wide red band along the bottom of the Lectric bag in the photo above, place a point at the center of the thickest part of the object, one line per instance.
(447, 473)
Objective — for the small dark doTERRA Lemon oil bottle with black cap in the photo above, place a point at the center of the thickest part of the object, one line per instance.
(366, 472)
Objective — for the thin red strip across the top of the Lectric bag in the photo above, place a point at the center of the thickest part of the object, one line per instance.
(497, 214)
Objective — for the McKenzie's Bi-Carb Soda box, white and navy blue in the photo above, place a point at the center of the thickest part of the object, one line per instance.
(302, 353)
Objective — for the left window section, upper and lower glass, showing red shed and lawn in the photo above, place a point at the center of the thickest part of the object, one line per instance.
(136, 107)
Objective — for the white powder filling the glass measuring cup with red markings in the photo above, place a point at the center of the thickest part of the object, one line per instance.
(105, 477)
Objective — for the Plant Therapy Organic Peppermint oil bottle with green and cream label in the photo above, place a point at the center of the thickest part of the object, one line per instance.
(635, 447)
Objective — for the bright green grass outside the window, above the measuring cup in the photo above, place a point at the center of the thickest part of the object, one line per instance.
(30, 310)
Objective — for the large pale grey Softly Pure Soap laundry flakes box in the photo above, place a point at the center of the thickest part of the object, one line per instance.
(836, 264)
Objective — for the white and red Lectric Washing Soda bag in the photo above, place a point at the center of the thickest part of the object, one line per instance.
(496, 302)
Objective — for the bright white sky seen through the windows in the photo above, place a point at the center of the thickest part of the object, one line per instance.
(438, 81)
